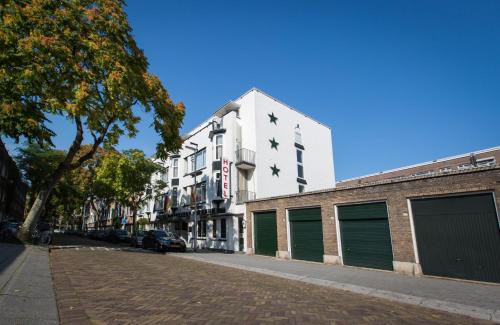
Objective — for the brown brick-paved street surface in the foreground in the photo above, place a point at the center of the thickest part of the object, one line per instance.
(117, 287)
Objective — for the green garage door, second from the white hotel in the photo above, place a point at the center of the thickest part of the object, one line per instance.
(306, 234)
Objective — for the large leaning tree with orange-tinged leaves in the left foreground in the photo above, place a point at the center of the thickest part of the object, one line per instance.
(77, 59)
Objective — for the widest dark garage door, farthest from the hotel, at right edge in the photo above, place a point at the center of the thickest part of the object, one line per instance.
(458, 237)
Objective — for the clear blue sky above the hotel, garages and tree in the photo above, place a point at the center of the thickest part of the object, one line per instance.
(399, 82)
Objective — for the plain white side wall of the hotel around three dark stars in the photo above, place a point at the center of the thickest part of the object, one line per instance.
(317, 155)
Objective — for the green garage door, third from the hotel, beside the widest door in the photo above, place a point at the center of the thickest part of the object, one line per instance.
(365, 235)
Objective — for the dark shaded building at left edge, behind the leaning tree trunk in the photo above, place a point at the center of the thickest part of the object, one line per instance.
(12, 188)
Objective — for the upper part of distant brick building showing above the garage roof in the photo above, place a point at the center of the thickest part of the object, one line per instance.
(476, 159)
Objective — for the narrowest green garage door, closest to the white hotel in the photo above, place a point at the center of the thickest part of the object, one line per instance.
(266, 238)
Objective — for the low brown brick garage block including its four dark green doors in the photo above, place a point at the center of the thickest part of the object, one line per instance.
(443, 224)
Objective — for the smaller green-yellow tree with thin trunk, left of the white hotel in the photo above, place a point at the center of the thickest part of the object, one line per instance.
(129, 177)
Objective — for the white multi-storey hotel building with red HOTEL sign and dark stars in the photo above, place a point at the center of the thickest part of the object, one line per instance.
(269, 149)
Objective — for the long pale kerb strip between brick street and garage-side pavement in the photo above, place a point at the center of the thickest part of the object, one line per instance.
(475, 312)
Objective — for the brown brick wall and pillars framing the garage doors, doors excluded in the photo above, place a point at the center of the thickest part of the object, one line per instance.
(395, 193)
